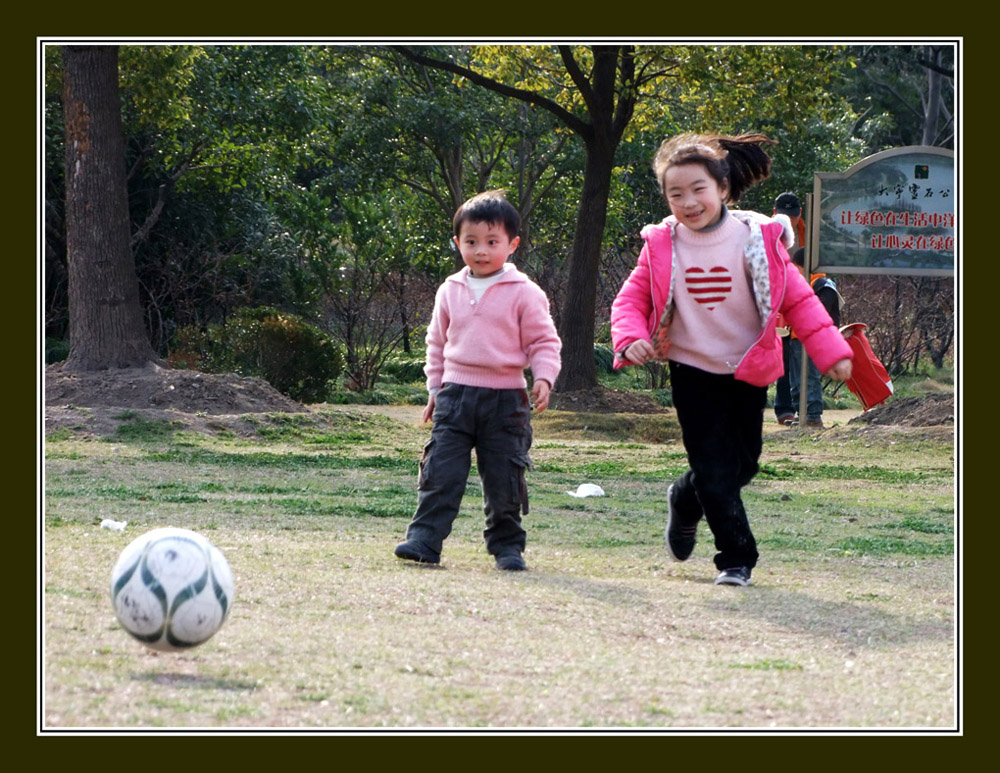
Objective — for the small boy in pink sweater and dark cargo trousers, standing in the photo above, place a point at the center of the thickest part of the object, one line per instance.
(490, 322)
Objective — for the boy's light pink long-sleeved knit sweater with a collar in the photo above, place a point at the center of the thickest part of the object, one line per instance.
(489, 343)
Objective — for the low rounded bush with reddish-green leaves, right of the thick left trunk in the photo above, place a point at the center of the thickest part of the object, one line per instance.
(296, 358)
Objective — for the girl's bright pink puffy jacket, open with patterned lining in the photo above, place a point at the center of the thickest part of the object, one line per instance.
(644, 305)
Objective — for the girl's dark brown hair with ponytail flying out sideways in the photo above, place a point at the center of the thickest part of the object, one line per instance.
(734, 162)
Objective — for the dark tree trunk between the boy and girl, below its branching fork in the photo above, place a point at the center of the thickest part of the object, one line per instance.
(577, 320)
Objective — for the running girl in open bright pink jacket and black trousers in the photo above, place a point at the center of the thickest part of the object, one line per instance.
(705, 296)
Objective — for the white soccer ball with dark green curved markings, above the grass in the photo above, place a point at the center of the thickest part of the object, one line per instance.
(171, 589)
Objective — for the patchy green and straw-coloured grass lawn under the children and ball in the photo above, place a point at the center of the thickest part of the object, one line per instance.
(850, 622)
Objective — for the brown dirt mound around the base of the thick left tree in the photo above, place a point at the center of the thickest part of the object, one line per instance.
(187, 391)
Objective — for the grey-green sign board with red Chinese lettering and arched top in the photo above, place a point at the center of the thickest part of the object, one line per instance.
(892, 213)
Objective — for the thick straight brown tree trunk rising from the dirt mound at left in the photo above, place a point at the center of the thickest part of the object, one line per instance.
(105, 317)
